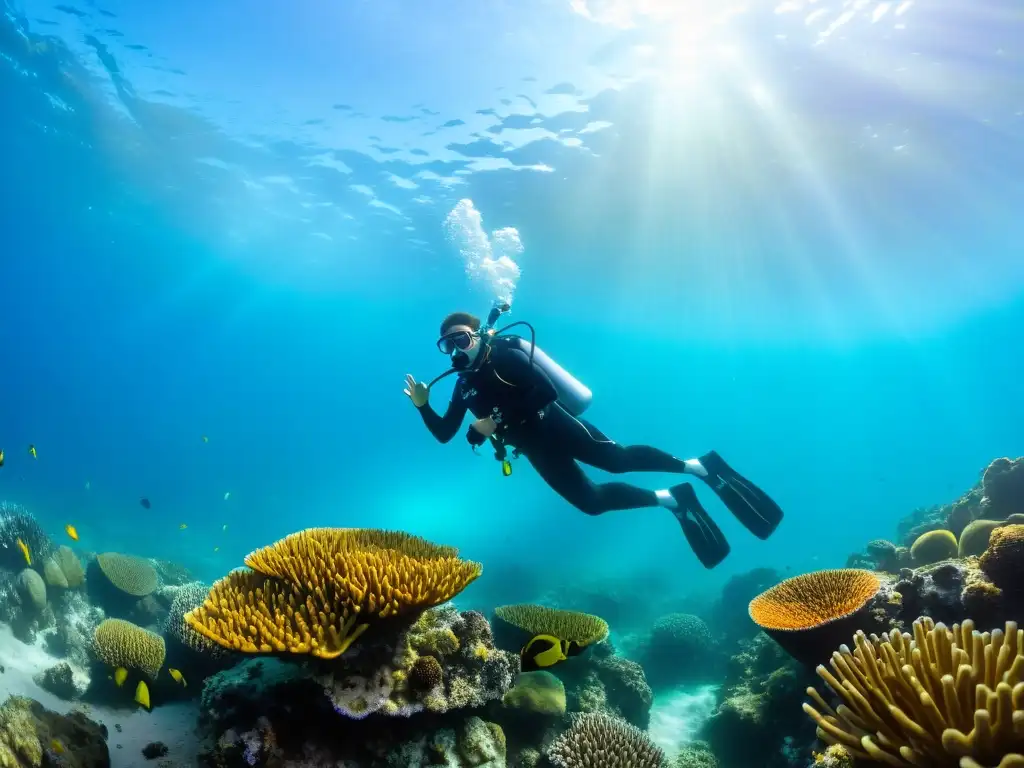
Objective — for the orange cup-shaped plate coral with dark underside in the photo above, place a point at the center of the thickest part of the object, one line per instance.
(810, 615)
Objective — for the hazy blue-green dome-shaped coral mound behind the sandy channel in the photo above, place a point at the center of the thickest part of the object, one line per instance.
(679, 650)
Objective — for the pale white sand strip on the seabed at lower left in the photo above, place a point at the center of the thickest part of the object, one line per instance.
(174, 724)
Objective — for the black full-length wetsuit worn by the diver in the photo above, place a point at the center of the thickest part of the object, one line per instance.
(523, 401)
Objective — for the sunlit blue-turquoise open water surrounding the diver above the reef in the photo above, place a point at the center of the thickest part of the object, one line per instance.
(789, 234)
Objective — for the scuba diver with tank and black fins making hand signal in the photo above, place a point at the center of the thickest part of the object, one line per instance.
(521, 398)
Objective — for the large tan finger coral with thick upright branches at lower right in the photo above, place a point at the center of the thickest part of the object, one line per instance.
(942, 697)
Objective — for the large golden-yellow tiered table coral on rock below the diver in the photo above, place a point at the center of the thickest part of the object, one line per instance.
(310, 591)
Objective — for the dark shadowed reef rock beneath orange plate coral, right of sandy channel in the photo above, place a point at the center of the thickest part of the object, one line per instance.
(759, 706)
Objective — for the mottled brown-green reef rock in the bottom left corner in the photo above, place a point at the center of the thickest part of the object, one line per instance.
(32, 737)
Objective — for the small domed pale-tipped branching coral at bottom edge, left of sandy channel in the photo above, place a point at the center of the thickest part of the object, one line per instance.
(599, 740)
